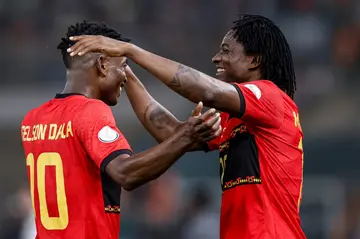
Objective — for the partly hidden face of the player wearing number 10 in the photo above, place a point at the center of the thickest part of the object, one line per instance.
(111, 84)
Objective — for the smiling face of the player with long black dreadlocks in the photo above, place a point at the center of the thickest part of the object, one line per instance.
(232, 64)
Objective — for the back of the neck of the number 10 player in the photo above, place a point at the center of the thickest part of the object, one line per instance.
(78, 82)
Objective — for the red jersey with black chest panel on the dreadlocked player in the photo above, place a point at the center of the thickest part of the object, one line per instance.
(261, 165)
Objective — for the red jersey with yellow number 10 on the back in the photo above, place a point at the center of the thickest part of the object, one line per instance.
(68, 142)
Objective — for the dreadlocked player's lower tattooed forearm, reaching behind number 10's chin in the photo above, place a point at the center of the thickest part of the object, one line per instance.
(158, 121)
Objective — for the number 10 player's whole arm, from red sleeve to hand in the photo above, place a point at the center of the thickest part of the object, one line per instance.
(109, 150)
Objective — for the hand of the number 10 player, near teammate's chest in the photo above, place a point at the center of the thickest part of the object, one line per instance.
(203, 128)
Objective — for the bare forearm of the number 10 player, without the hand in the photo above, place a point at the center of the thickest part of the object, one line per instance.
(150, 164)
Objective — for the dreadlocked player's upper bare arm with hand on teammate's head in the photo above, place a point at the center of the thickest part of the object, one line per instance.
(188, 82)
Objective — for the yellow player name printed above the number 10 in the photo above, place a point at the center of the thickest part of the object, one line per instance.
(46, 131)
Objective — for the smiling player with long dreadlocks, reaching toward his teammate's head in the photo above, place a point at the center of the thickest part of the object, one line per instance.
(261, 153)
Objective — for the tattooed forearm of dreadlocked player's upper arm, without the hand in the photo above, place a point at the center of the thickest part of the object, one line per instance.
(190, 83)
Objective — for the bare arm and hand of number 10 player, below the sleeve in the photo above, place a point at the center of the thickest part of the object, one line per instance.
(133, 171)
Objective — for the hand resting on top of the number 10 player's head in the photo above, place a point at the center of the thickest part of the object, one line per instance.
(90, 43)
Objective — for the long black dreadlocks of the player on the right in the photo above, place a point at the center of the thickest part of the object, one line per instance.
(263, 39)
